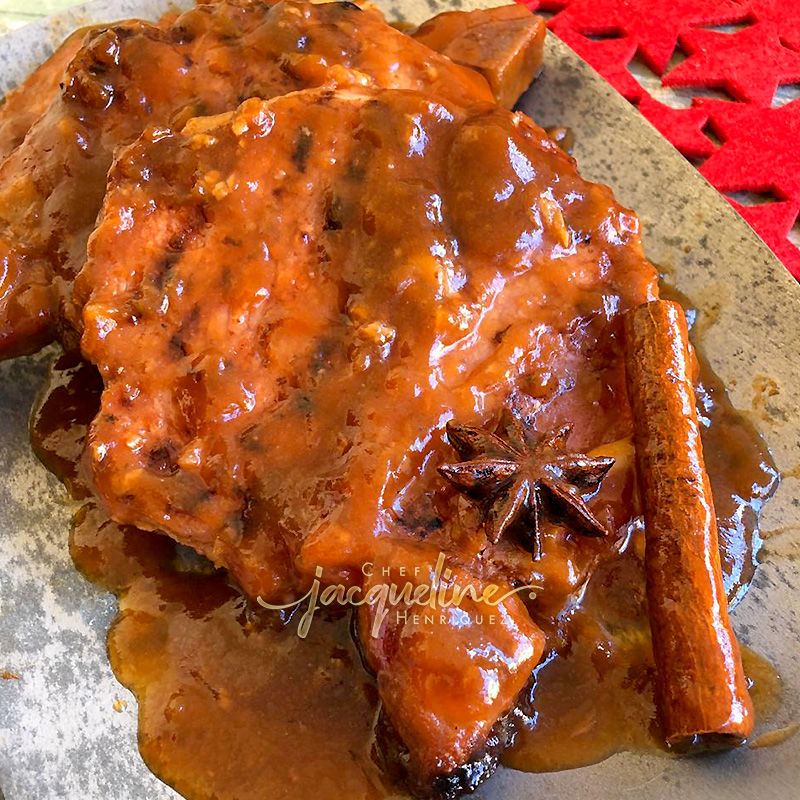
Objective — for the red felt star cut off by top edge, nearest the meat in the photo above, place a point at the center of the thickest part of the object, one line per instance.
(654, 24)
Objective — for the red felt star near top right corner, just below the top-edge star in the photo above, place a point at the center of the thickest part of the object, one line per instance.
(750, 64)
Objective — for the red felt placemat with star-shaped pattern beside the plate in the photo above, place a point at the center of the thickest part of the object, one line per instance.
(744, 146)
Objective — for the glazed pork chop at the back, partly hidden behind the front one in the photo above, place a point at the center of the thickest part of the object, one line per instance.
(134, 74)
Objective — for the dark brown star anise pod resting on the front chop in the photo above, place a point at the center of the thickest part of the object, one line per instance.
(521, 477)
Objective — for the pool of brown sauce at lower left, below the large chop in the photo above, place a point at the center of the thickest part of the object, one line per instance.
(229, 705)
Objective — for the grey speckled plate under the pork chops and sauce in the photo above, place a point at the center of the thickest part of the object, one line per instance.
(60, 736)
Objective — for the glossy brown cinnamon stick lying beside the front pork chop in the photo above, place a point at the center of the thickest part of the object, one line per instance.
(703, 698)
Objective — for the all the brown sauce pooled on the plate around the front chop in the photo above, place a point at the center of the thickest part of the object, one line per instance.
(232, 704)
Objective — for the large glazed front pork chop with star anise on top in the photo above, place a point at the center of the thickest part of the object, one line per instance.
(288, 304)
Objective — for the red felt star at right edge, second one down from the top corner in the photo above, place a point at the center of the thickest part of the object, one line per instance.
(760, 151)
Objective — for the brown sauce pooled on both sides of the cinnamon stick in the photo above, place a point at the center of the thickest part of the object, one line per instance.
(598, 698)
